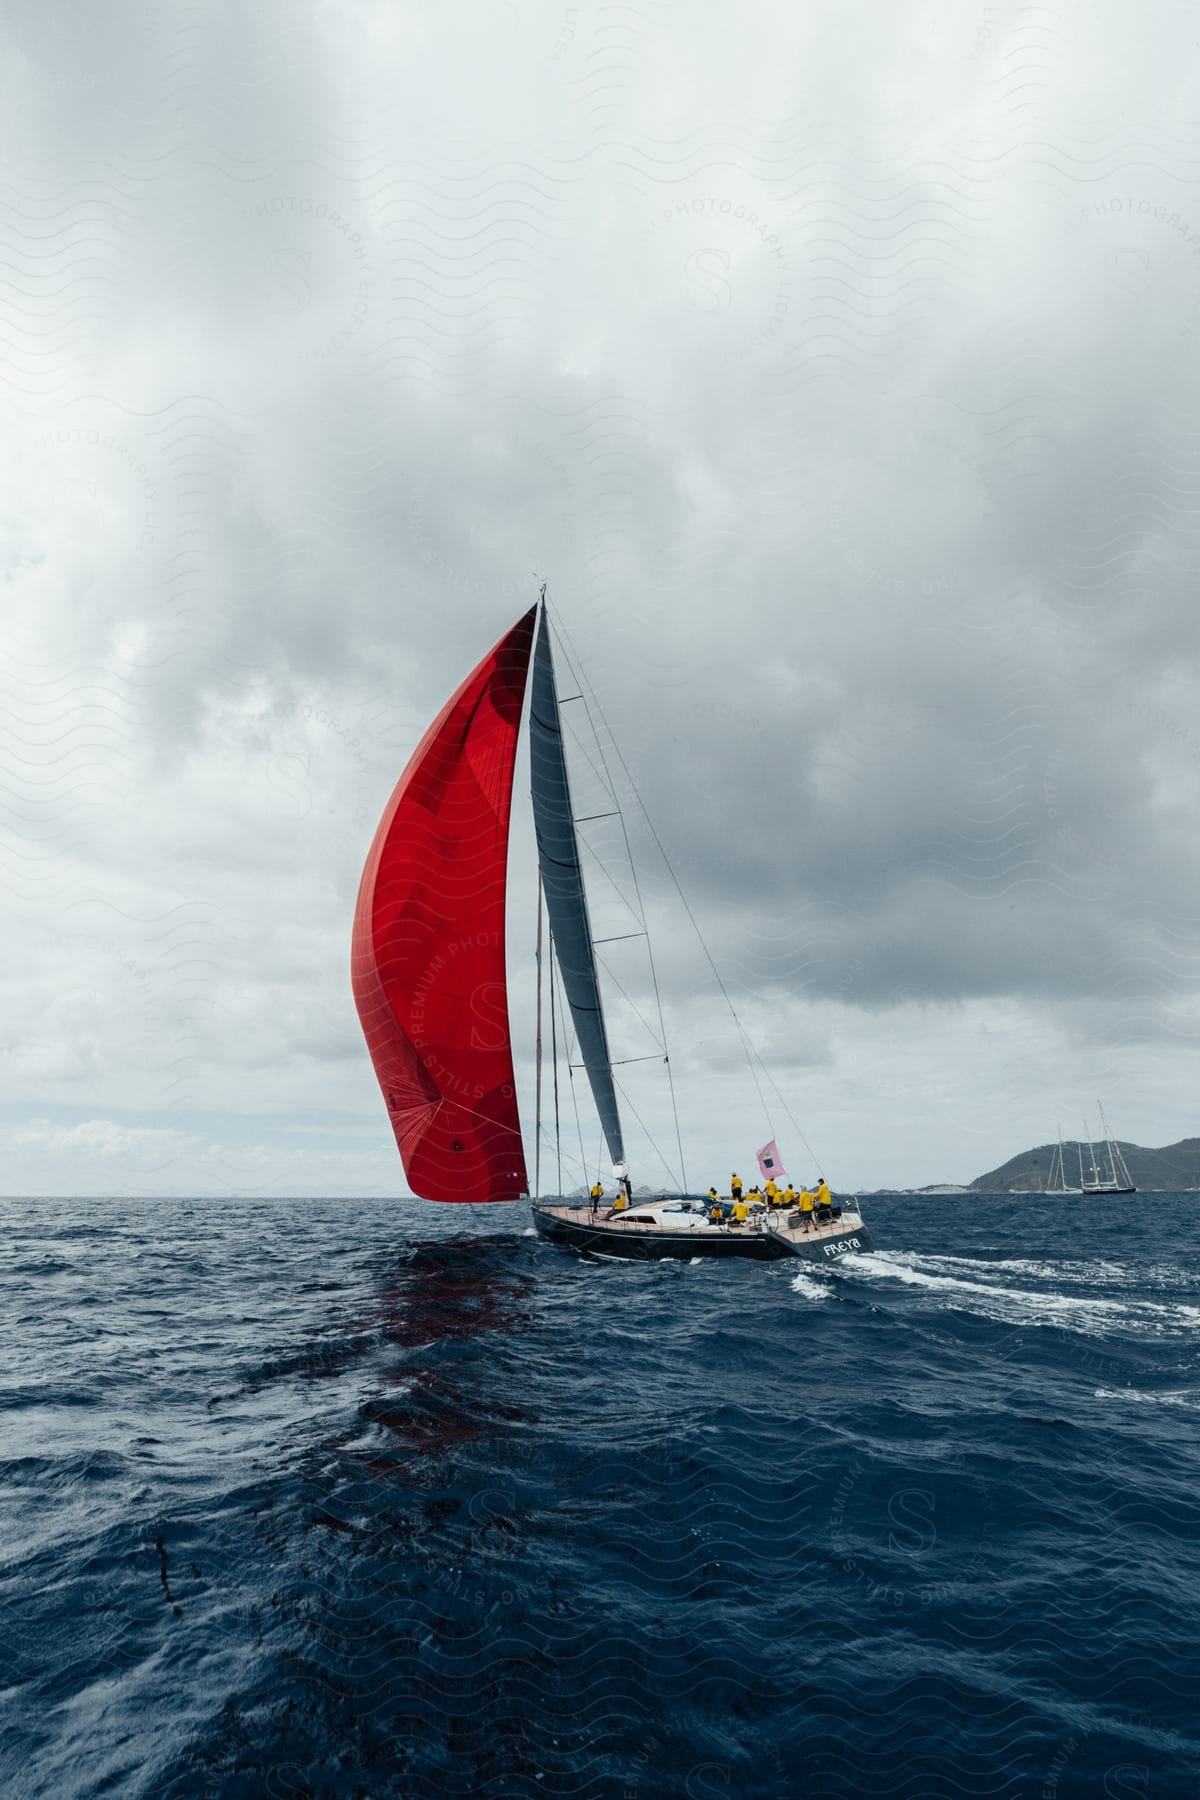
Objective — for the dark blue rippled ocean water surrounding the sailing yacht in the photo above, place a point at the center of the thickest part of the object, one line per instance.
(366, 1498)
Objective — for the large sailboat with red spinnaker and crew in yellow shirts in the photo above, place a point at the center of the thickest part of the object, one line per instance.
(431, 982)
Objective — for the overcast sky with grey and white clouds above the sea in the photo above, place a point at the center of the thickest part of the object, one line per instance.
(839, 370)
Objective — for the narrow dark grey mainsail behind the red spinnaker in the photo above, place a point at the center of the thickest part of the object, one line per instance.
(562, 881)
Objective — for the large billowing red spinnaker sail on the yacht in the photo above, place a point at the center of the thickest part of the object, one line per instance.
(427, 962)
